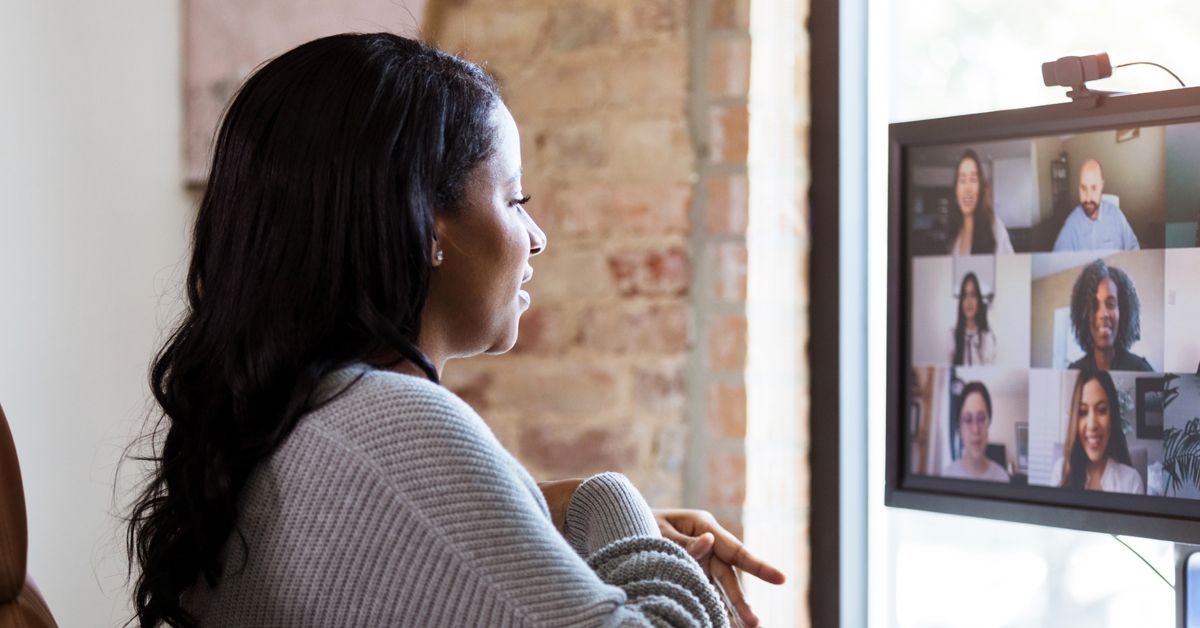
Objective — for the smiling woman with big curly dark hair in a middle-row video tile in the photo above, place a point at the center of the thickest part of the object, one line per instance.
(1105, 312)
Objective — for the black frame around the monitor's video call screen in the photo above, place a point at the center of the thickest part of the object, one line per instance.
(1177, 519)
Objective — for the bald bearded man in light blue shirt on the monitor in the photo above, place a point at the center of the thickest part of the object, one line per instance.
(1096, 224)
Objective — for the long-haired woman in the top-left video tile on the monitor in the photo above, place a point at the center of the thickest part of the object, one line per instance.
(975, 229)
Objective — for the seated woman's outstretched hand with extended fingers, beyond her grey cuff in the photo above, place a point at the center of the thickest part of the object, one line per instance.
(719, 553)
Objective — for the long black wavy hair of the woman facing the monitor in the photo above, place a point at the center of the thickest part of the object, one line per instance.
(311, 249)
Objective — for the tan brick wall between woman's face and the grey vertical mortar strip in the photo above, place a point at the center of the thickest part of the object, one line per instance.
(599, 379)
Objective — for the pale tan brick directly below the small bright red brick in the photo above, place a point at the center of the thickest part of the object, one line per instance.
(637, 328)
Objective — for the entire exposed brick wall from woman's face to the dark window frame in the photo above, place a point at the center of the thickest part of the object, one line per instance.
(635, 122)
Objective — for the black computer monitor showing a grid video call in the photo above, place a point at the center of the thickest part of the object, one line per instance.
(1045, 316)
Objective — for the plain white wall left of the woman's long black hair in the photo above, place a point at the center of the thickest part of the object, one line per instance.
(93, 230)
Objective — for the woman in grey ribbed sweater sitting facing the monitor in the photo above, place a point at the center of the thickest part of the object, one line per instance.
(364, 223)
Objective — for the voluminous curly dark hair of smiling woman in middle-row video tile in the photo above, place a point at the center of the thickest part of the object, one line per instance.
(1083, 307)
